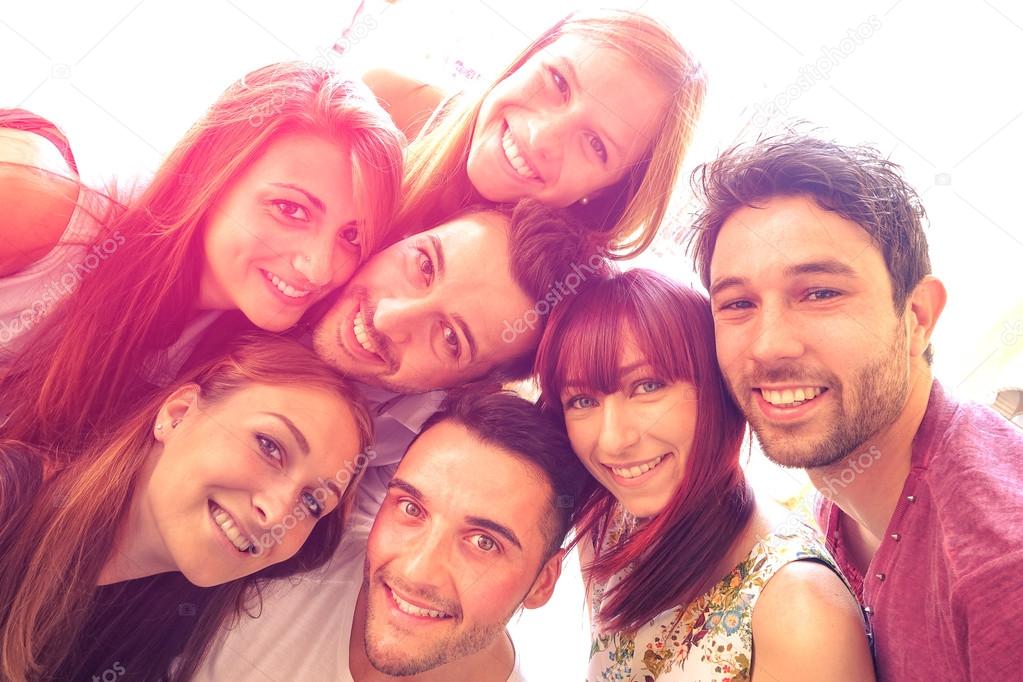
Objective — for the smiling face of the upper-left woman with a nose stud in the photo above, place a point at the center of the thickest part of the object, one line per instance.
(285, 234)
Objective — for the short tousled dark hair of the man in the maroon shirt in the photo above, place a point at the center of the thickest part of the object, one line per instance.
(856, 183)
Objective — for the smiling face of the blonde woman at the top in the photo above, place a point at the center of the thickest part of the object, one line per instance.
(571, 121)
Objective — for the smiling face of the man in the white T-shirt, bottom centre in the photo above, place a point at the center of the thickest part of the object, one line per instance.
(456, 550)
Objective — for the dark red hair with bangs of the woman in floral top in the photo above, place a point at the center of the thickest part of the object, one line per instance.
(678, 556)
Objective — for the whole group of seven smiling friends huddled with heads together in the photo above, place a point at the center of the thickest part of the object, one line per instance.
(256, 425)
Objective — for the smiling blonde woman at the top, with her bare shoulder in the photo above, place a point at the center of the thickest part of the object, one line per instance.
(596, 115)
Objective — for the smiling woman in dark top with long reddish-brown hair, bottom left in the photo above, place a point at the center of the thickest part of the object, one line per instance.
(142, 549)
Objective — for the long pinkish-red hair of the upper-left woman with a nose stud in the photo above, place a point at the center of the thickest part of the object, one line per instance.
(80, 371)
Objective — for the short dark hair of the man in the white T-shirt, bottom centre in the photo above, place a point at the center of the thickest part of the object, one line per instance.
(505, 421)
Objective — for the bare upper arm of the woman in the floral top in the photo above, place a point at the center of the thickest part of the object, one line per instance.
(808, 626)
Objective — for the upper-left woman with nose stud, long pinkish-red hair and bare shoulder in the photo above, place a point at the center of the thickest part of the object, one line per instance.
(269, 204)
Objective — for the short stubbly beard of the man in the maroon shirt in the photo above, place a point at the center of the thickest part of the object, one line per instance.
(881, 390)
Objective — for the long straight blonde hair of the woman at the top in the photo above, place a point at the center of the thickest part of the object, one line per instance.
(627, 215)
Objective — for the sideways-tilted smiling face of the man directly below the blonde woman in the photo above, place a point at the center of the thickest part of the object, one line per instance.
(429, 312)
